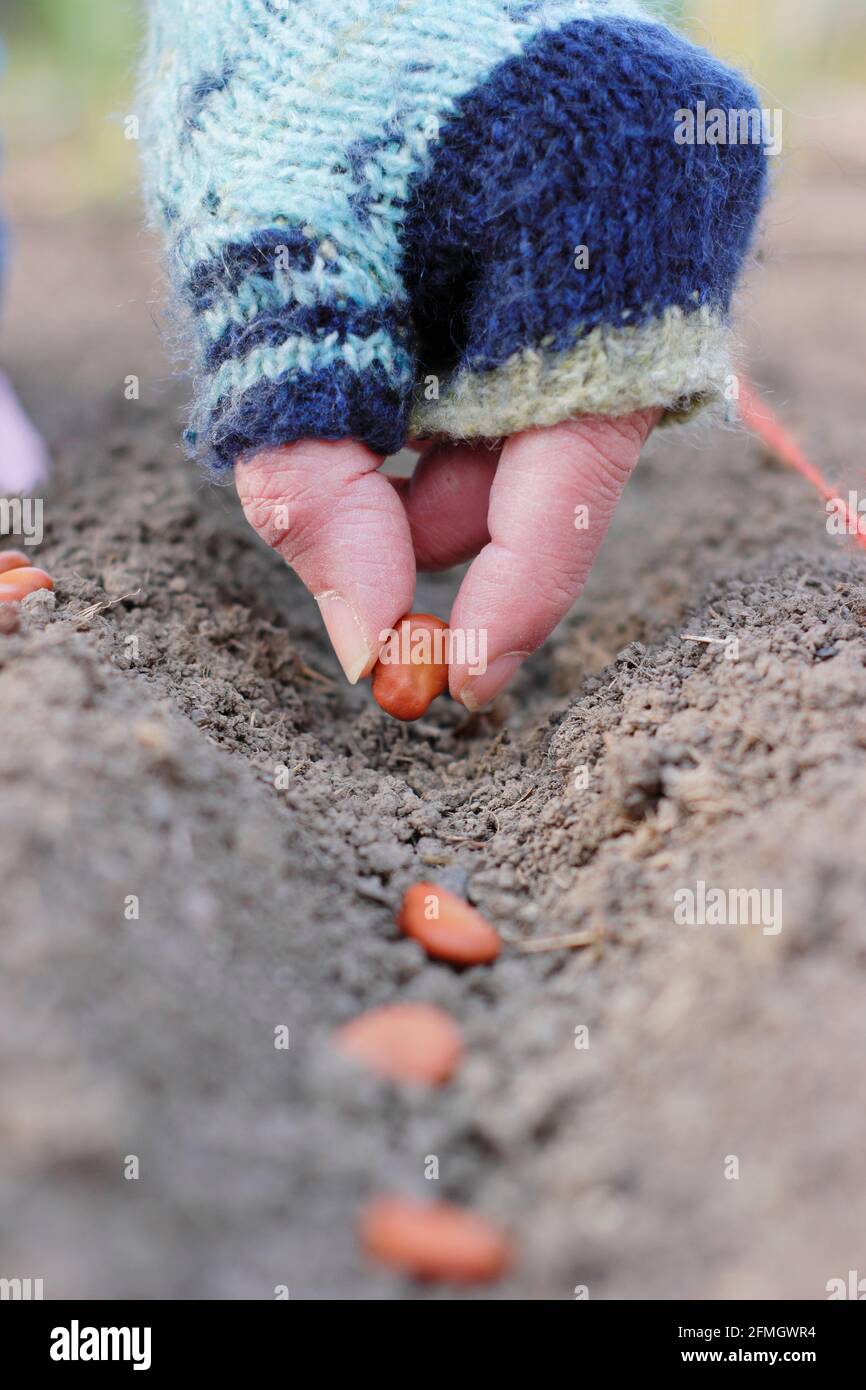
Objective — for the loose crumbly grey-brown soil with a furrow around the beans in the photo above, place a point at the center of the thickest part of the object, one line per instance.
(149, 717)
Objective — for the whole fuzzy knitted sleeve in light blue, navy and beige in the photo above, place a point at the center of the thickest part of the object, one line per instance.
(395, 218)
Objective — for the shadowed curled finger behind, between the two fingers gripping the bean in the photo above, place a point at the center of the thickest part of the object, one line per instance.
(447, 501)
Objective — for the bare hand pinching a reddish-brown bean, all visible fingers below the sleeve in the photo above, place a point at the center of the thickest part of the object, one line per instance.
(357, 537)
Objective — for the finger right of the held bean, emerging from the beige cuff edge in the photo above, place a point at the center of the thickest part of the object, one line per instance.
(551, 505)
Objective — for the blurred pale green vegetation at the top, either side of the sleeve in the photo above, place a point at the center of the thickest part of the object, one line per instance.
(70, 80)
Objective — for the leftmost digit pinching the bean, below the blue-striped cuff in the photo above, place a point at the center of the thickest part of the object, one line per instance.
(343, 529)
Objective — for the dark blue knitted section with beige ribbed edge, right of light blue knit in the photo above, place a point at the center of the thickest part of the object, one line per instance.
(565, 254)
